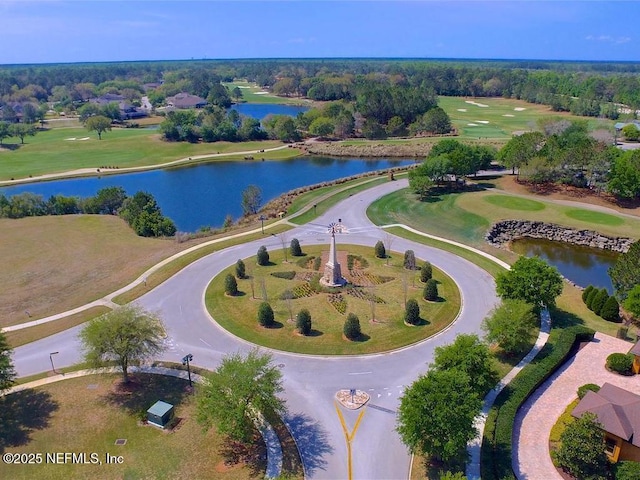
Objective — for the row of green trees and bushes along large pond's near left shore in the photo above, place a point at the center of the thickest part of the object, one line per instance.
(140, 211)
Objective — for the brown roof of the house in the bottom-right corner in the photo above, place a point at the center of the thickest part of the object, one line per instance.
(617, 410)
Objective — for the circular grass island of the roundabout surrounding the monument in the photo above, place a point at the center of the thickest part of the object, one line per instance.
(239, 314)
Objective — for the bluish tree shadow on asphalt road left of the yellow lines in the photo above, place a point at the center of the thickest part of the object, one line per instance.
(312, 442)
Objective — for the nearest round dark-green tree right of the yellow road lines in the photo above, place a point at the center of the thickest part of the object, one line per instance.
(436, 414)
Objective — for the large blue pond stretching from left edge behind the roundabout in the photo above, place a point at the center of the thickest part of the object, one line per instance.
(203, 195)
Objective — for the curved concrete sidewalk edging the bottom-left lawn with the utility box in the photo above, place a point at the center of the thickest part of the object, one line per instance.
(274, 448)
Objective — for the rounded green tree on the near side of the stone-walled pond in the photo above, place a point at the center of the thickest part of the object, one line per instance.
(531, 280)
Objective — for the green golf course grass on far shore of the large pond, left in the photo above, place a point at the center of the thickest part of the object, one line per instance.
(52, 151)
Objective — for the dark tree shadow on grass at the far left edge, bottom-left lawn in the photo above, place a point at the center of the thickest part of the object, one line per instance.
(22, 413)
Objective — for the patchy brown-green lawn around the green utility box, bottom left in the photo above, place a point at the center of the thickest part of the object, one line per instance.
(88, 414)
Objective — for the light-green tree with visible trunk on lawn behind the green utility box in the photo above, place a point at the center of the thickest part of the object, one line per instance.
(127, 336)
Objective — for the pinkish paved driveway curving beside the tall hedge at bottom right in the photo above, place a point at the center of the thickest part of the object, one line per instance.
(531, 457)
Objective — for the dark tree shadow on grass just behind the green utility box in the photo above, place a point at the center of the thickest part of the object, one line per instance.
(143, 390)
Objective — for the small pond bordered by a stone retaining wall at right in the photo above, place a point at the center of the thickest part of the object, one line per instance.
(582, 265)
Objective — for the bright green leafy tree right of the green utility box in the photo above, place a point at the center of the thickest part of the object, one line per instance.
(241, 389)
